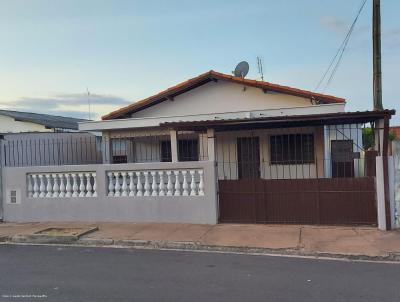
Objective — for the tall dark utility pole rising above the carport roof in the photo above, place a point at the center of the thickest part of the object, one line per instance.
(376, 38)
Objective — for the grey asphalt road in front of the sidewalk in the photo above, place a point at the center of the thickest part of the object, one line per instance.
(51, 273)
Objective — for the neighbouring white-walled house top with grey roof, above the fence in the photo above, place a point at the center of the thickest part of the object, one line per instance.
(17, 122)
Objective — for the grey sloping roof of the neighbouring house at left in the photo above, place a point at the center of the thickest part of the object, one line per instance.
(47, 120)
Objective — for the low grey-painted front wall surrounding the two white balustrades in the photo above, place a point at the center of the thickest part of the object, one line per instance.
(182, 209)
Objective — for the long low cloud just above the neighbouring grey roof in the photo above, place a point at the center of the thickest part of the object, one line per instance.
(73, 104)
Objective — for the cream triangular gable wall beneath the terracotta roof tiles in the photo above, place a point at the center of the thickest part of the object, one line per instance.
(222, 96)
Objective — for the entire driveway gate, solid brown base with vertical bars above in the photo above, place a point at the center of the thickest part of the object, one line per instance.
(305, 175)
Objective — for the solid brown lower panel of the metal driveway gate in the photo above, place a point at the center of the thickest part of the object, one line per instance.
(329, 201)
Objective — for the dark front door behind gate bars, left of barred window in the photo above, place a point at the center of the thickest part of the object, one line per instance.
(248, 151)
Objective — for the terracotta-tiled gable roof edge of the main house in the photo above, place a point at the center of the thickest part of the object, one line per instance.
(215, 76)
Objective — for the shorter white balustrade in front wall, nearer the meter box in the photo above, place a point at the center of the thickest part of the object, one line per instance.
(64, 185)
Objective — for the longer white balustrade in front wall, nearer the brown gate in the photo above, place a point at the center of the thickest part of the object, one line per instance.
(180, 182)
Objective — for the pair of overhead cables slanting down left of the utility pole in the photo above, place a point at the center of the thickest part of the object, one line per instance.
(339, 53)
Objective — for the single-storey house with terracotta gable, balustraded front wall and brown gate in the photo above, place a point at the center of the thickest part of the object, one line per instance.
(218, 148)
